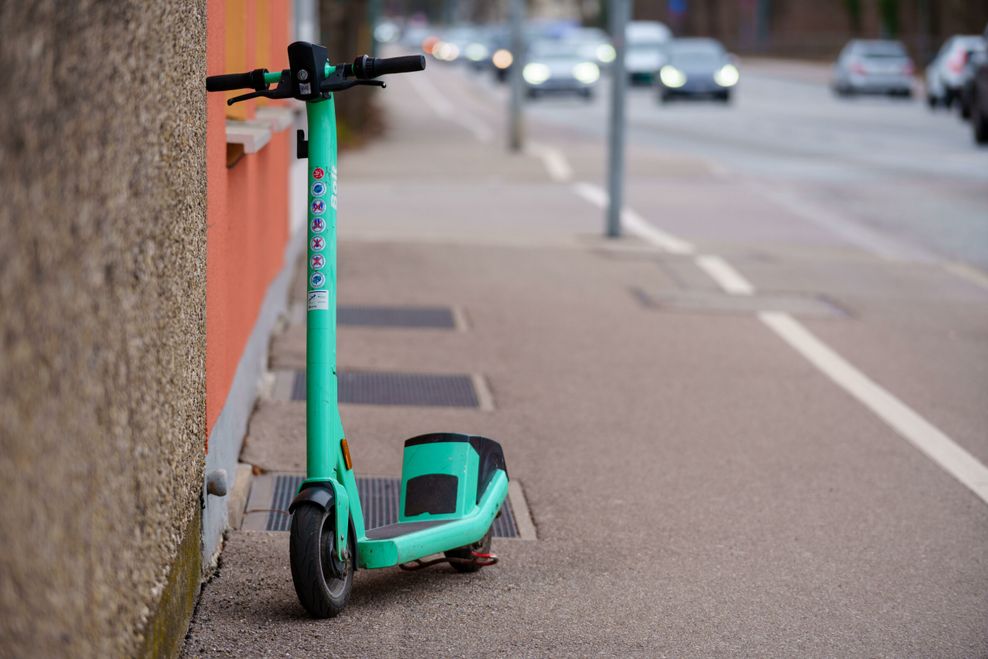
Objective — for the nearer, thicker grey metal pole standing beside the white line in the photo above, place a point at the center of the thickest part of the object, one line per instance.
(620, 14)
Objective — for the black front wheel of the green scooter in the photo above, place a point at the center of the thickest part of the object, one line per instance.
(312, 556)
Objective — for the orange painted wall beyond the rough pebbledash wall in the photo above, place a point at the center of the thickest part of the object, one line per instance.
(246, 205)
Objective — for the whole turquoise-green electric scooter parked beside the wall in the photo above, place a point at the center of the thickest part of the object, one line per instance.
(452, 485)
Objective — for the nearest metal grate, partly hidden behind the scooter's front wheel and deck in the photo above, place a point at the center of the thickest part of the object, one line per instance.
(379, 499)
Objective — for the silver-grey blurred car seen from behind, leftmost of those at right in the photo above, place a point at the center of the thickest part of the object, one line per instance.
(877, 66)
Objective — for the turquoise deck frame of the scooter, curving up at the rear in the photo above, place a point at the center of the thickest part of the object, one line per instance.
(391, 545)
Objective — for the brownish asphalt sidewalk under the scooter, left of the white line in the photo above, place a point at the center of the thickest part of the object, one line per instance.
(695, 490)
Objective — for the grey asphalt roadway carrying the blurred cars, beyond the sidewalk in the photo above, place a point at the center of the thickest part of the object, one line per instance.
(888, 165)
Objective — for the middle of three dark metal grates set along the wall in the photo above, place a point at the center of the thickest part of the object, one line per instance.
(415, 389)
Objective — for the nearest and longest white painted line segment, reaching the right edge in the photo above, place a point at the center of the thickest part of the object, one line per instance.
(918, 431)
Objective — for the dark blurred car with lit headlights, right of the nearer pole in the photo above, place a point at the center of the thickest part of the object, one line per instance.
(697, 68)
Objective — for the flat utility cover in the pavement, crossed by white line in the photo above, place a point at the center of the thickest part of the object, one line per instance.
(718, 302)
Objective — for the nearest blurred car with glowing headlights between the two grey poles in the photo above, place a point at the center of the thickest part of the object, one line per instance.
(559, 66)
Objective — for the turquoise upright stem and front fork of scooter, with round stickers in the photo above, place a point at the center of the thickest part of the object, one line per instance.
(325, 462)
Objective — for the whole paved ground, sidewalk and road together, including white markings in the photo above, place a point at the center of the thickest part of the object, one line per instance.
(705, 478)
